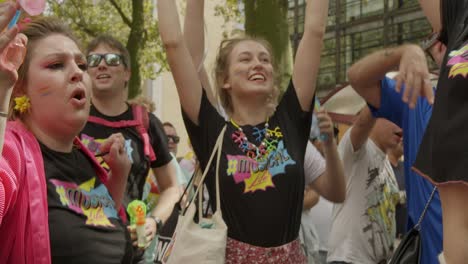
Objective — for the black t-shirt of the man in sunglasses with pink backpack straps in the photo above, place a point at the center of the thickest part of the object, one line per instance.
(93, 135)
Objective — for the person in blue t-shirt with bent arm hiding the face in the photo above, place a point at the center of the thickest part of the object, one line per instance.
(387, 99)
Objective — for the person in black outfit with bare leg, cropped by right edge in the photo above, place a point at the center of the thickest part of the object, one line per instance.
(442, 155)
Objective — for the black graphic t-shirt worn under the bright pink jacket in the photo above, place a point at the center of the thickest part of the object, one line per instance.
(83, 222)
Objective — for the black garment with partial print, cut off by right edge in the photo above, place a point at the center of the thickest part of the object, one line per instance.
(443, 153)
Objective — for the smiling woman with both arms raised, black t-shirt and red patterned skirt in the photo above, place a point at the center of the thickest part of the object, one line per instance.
(261, 168)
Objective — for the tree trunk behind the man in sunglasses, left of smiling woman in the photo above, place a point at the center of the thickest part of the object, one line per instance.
(135, 43)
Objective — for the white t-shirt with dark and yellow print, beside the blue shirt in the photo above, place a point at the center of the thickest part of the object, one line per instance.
(363, 227)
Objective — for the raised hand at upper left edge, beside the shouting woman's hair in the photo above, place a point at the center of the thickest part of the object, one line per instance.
(12, 47)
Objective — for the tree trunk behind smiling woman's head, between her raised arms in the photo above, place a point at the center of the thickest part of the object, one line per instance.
(268, 19)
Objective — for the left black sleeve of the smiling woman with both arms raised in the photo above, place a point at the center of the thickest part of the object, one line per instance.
(203, 136)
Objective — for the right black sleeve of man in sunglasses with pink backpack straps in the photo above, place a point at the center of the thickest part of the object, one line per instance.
(158, 142)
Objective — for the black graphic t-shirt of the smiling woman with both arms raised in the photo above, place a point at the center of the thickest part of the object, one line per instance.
(261, 201)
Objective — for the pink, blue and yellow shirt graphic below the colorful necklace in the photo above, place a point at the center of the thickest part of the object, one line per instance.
(257, 168)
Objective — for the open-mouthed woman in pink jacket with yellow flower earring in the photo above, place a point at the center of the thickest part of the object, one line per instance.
(56, 203)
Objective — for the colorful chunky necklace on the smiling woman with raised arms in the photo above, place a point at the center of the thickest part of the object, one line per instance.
(249, 148)
